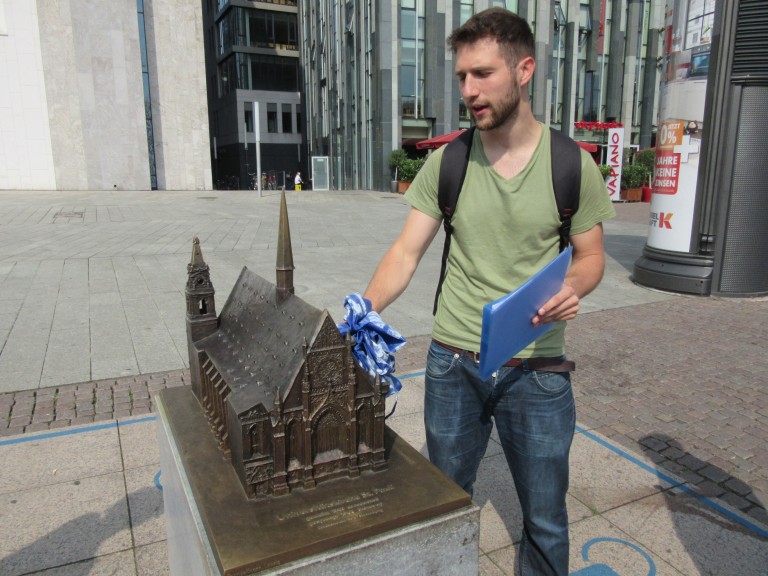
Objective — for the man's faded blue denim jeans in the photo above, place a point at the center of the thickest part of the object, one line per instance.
(535, 415)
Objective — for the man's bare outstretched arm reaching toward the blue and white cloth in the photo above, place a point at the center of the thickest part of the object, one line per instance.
(398, 265)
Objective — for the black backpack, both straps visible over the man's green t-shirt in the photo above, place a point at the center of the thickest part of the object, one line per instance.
(566, 180)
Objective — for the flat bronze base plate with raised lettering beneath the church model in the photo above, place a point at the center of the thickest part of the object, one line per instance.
(248, 535)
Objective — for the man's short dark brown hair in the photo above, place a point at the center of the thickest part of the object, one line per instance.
(512, 33)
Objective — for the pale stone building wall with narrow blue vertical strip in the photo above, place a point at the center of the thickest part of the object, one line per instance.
(102, 96)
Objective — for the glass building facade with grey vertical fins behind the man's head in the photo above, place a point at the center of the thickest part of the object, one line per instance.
(378, 76)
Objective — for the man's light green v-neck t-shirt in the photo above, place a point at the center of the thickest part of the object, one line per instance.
(504, 231)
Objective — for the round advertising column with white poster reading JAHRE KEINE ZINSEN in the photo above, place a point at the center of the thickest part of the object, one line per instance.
(671, 260)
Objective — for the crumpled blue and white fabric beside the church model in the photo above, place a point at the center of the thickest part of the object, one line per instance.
(374, 341)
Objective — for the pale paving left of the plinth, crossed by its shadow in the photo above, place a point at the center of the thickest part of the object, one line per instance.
(84, 500)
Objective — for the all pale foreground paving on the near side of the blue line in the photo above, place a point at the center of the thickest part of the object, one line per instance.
(108, 518)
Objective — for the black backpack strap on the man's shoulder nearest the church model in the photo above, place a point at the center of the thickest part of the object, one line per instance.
(453, 169)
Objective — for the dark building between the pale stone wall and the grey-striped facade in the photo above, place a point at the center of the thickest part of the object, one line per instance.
(252, 65)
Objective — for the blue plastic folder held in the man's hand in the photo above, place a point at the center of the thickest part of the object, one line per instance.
(507, 327)
